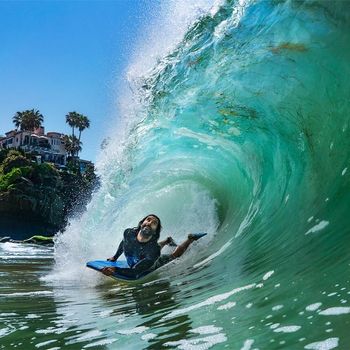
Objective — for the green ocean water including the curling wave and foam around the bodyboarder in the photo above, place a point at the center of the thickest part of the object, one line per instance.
(238, 126)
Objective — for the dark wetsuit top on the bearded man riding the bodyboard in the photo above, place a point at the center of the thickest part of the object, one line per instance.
(139, 256)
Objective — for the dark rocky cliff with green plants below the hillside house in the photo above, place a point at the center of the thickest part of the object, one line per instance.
(38, 199)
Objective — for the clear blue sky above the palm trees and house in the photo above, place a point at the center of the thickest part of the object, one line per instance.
(62, 56)
